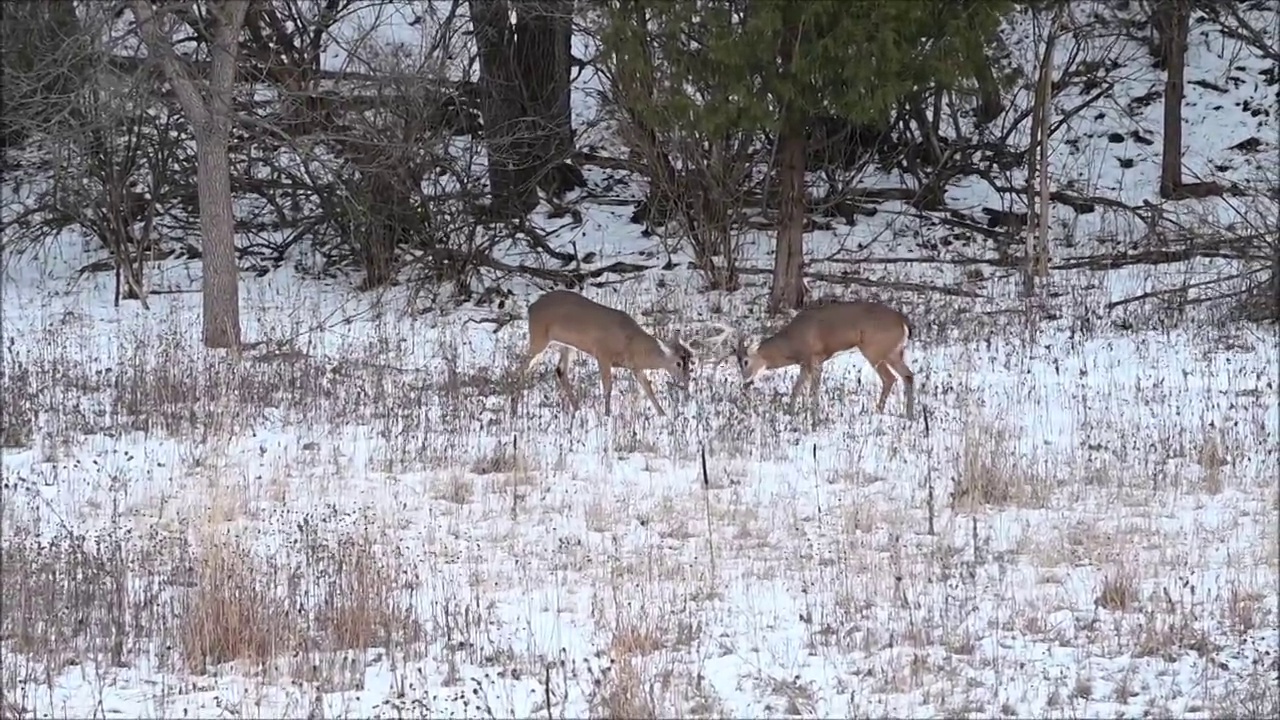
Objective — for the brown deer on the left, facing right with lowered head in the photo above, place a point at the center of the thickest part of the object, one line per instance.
(574, 323)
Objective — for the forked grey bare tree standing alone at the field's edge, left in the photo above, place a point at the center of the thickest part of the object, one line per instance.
(208, 106)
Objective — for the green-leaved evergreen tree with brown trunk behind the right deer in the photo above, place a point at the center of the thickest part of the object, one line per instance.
(752, 66)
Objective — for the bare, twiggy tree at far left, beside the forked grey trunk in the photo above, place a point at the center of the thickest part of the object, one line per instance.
(106, 152)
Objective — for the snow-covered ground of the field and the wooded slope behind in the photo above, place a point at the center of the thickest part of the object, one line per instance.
(380, 516)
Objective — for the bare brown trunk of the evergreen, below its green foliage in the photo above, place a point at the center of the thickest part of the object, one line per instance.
(788, 290)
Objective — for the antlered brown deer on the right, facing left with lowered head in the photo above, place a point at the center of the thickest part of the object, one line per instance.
(819, 332)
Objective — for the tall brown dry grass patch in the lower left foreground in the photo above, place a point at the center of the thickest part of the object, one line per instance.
(109, 600)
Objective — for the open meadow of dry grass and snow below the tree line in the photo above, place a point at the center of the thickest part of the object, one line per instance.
(429, 527)
